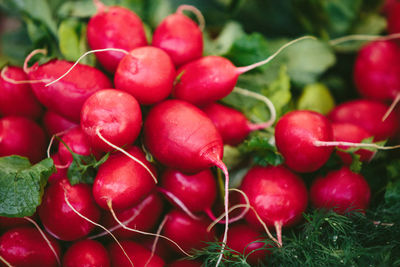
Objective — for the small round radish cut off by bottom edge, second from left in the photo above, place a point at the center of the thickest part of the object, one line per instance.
(86, 253)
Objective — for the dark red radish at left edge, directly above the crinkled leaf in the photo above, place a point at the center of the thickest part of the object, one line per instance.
(21, 136)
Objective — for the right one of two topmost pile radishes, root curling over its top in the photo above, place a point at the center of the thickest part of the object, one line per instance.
(180, 37)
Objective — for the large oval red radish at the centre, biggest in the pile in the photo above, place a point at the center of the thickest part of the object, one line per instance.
(181, 136)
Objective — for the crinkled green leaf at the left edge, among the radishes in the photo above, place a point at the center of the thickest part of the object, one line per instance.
(22, 185)
